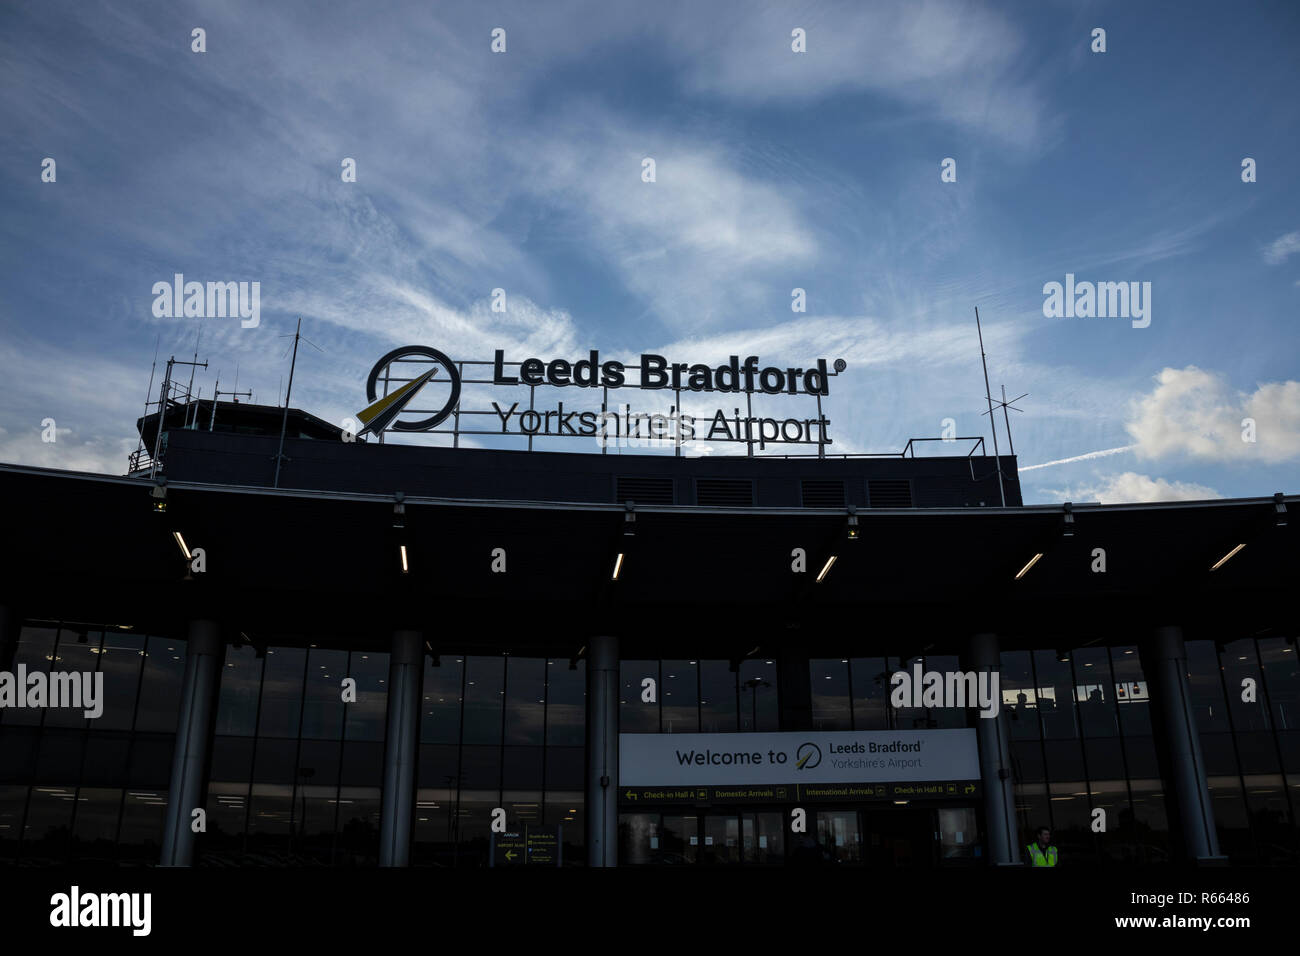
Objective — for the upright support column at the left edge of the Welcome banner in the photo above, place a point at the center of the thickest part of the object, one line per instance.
(603, 752)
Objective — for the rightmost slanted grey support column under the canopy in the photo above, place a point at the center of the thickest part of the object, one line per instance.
(1167, 669)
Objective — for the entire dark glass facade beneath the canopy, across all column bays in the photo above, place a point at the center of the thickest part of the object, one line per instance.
(297, 764)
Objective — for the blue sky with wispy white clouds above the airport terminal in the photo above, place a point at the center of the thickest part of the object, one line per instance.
(775, 171)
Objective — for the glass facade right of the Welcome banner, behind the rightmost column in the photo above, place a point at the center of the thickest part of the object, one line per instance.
(1082, 739)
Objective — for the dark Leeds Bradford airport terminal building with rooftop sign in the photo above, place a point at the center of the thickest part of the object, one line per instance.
(326, 650)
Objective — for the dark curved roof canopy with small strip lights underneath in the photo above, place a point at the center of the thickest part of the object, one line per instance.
(307, 565)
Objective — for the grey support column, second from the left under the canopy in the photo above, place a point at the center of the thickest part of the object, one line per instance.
(406, 673)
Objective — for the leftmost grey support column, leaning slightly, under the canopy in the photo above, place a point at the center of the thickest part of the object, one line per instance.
(193, 741)
